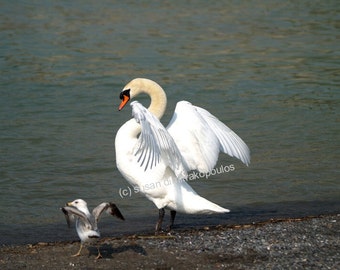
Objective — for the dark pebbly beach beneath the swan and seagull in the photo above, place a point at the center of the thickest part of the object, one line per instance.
(299, 243)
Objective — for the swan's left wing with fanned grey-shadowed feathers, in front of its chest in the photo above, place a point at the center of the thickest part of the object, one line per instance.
(155, 144)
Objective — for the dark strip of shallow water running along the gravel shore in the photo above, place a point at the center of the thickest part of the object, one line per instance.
(19, 234)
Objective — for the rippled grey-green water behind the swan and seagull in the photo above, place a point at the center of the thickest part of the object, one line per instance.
(268, 69)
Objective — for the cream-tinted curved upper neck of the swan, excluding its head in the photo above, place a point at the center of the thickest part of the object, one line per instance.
(157, 95)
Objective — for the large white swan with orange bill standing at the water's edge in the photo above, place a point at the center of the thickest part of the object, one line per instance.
(156, 160)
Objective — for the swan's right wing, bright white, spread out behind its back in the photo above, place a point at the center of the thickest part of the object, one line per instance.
(200, 137)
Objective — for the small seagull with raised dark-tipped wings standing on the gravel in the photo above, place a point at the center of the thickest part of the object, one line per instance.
(86, 223)
